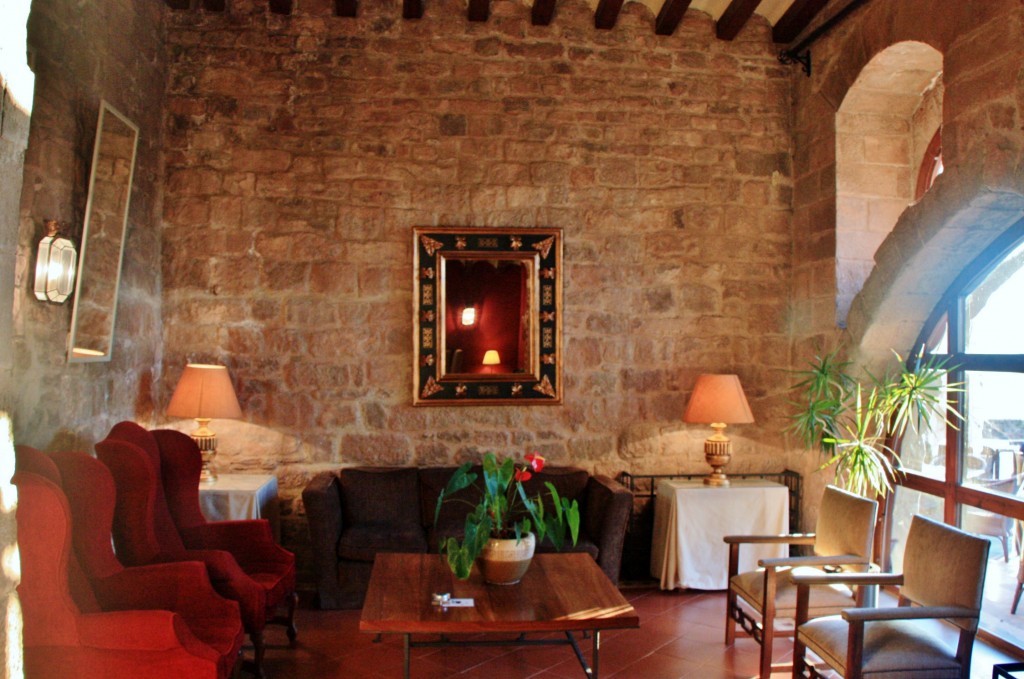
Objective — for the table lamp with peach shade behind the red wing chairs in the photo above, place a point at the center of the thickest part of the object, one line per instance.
(205, 393)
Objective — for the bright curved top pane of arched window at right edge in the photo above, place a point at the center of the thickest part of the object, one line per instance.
(995, 313)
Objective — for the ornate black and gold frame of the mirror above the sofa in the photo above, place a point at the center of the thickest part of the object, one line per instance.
(537, 379)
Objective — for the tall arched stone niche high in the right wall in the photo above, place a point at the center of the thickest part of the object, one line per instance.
(883, 128)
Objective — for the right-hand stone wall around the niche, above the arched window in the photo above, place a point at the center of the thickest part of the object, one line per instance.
(978, 197)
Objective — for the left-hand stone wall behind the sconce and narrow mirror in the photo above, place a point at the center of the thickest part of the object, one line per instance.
(82, 53)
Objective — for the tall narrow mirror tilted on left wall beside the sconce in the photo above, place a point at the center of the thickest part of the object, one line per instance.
(92, 336)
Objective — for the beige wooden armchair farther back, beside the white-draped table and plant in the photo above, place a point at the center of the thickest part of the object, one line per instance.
(843, 541)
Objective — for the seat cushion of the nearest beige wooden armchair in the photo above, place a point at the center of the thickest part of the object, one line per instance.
(892, 649)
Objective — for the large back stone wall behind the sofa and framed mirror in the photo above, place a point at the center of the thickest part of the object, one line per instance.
(303, 150)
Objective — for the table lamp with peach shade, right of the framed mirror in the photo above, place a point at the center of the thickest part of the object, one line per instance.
(718, 401)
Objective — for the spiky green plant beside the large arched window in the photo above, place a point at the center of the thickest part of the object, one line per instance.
(858, 426)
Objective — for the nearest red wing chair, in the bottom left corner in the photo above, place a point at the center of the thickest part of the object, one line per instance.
(74, 638)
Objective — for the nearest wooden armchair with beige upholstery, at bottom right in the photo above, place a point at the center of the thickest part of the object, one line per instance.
(908, 641)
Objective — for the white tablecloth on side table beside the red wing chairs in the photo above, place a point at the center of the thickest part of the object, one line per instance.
(242, 496)
